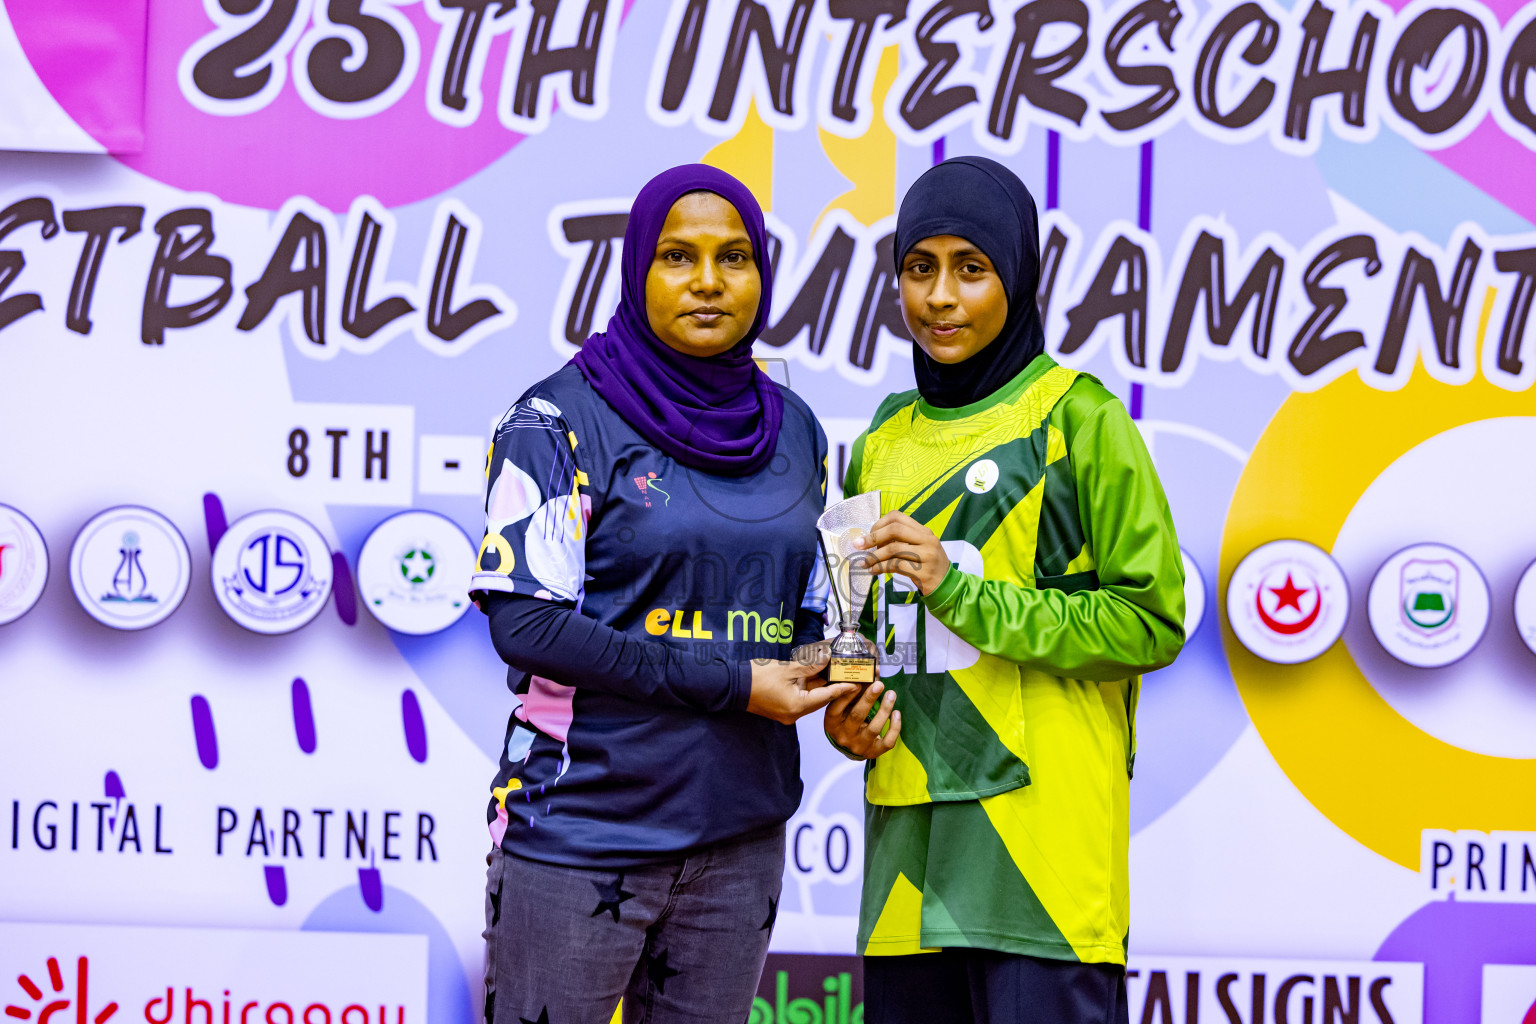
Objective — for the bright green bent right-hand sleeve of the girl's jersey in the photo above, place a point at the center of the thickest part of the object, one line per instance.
(1133, 621)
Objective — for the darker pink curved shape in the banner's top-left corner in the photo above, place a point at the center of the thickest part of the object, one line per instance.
(90, 56)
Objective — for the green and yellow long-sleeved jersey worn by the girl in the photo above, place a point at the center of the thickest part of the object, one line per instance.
(1001, 818)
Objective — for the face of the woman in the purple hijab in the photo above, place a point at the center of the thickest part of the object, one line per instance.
(703, 289)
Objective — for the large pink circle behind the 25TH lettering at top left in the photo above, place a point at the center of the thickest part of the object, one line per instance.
(262, 159)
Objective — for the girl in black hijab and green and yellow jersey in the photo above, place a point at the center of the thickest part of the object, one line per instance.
(1024, 514)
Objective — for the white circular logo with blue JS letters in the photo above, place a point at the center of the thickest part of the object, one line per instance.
(273, 572)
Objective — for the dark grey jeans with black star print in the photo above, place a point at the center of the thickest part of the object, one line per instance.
(681, 942)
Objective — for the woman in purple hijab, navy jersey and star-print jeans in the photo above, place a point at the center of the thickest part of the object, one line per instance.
(650, 540)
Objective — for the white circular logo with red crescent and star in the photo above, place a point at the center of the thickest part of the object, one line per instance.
(1288, 603)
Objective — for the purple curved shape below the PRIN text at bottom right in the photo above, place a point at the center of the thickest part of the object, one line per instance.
(1455, 940)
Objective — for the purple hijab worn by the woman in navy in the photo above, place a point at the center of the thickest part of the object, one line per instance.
(718, 414)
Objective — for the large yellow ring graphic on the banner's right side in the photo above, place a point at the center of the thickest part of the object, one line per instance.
(1371, 771)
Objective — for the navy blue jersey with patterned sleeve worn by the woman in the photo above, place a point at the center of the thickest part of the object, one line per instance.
(700, 572)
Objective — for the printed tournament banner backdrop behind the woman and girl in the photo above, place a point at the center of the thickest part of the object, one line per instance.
(254, 357)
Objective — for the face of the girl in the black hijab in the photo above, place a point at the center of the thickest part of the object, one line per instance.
(953, 300)
